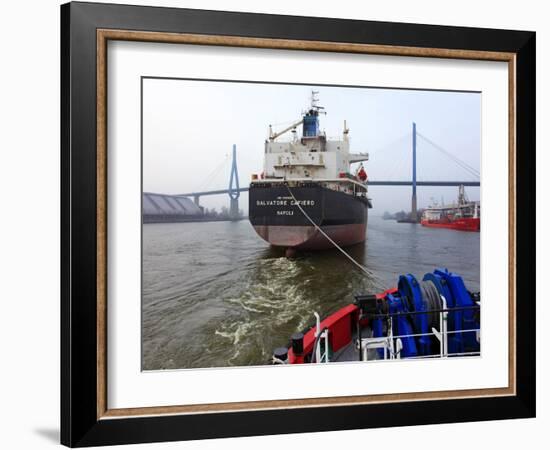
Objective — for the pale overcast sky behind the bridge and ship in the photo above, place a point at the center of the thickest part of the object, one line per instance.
(189, 128)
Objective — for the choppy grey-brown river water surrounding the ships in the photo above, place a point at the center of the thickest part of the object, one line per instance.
(215, 294)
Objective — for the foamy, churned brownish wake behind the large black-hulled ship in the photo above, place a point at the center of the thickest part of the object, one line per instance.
(282, 294)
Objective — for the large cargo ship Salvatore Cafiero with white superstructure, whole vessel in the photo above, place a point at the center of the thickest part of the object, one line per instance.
(306, 198)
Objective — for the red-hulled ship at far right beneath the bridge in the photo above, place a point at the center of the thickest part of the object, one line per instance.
(463, 216)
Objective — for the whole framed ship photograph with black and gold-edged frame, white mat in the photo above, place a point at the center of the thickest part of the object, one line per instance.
(277, 224)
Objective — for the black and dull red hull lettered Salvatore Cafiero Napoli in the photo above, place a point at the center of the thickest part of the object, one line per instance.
(279, 221)
